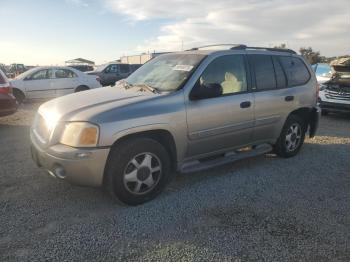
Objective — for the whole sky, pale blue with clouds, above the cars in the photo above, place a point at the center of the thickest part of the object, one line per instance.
(49, 32)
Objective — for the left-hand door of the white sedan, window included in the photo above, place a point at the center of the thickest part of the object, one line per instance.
(39, 84)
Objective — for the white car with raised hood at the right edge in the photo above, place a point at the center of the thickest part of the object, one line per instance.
(335, 93)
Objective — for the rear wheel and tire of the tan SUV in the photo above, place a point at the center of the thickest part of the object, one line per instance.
(291, 138)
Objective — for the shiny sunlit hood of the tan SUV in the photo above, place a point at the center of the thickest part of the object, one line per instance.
(83, 106)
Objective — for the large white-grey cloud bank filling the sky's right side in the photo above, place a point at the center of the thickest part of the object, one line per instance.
(323, 24)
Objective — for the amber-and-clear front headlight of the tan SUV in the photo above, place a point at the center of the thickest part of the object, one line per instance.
(80, 134)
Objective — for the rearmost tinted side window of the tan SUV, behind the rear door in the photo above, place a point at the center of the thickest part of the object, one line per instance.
(296, 71)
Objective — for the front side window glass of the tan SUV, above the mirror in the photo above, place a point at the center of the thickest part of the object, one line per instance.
(228, 72)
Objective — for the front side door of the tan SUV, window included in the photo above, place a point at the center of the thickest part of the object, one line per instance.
(225, 121)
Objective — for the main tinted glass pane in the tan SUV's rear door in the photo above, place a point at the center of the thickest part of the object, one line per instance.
(264, 72)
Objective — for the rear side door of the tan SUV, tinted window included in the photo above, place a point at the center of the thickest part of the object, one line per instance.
(273, 97)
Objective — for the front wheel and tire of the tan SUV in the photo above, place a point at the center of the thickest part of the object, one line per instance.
(135, 183)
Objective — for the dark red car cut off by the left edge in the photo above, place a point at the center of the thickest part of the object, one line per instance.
(8, 103)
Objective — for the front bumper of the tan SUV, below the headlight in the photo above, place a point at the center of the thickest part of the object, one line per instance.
(79, 166)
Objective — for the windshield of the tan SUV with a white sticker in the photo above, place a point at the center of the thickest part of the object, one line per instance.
(166, 72)
